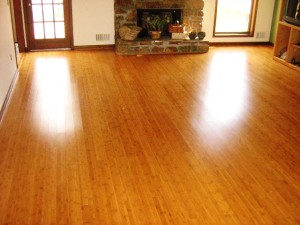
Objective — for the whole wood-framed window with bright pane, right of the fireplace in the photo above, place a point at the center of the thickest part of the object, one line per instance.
(235, 18)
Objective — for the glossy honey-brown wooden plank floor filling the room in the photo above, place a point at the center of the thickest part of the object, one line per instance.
(93, 138)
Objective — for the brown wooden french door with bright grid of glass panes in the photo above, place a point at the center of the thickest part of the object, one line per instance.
(49, 24)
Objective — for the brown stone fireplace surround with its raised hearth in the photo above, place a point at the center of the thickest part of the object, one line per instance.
(126, 14)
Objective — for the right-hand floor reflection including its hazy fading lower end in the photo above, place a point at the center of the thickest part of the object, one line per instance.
(224, 100)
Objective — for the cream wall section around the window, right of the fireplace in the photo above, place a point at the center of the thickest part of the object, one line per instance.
(263, 22)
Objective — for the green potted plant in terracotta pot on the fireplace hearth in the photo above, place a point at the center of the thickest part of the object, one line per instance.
(155, 25)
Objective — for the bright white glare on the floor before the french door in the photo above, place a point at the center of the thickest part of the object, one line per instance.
(54, 103)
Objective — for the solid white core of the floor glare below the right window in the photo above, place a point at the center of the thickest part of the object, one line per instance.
(226, 94)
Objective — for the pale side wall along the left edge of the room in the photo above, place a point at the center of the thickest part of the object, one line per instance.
(8, 66)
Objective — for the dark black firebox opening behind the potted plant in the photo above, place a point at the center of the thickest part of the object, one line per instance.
(173, 15)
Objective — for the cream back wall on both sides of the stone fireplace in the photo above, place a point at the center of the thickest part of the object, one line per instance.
(91, 17)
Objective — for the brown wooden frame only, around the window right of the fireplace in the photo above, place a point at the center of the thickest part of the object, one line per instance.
(251, 27)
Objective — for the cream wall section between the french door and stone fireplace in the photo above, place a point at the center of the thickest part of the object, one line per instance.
(91, 17)
